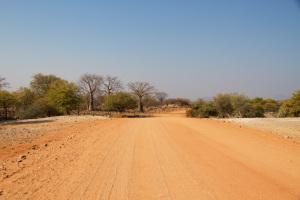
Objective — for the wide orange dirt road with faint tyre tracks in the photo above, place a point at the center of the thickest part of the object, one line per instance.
(166, 157)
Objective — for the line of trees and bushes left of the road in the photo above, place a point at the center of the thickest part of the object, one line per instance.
(49, 95)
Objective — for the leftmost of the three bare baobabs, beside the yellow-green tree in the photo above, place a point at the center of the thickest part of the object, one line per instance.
(90, 84)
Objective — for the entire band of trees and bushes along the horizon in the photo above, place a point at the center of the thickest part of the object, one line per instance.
(49, 95)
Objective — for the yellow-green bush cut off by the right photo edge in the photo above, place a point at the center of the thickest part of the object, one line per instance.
(291, 107)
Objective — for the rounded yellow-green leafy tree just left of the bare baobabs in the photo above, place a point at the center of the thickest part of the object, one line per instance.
(64, 96)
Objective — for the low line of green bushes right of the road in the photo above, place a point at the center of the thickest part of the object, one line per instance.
(238, 105)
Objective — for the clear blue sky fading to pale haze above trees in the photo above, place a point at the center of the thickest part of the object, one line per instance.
(186, 48)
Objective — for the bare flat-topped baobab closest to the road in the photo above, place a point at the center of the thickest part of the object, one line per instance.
(141, 89)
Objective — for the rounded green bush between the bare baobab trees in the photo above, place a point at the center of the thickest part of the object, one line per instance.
(119, 102)
